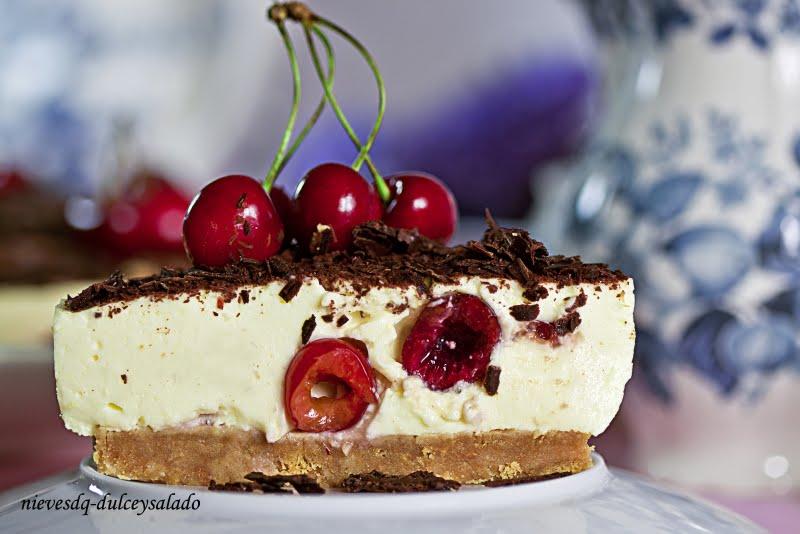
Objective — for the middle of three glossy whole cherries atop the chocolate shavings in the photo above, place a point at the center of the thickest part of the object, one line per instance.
(337, 196)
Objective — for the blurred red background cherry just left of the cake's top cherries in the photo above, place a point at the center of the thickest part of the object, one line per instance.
(145, 217)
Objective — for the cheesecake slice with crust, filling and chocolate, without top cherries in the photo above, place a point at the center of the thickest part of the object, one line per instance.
(489, 362)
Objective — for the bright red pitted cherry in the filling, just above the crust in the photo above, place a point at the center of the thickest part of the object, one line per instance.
(339, 364)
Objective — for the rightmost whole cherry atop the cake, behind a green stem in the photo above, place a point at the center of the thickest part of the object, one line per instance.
(421, 201)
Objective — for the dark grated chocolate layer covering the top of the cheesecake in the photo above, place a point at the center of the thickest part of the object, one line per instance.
(380, 256)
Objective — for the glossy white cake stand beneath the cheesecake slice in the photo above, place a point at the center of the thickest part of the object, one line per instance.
(597, 500)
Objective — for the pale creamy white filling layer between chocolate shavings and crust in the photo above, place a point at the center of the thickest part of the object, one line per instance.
(162, 363)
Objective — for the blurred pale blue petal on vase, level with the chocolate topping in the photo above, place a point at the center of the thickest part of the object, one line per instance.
(714, 258)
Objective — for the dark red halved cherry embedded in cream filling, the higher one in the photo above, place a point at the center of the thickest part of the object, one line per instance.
(451, 341)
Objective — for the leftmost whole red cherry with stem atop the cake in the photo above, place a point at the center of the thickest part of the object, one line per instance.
(231, 218)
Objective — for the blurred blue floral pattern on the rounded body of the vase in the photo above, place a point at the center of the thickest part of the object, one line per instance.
(687, 264)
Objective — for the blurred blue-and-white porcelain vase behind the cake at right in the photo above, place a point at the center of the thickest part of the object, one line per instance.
(694, 189)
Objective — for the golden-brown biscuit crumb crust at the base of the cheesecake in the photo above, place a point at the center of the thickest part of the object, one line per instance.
(196, 456)
